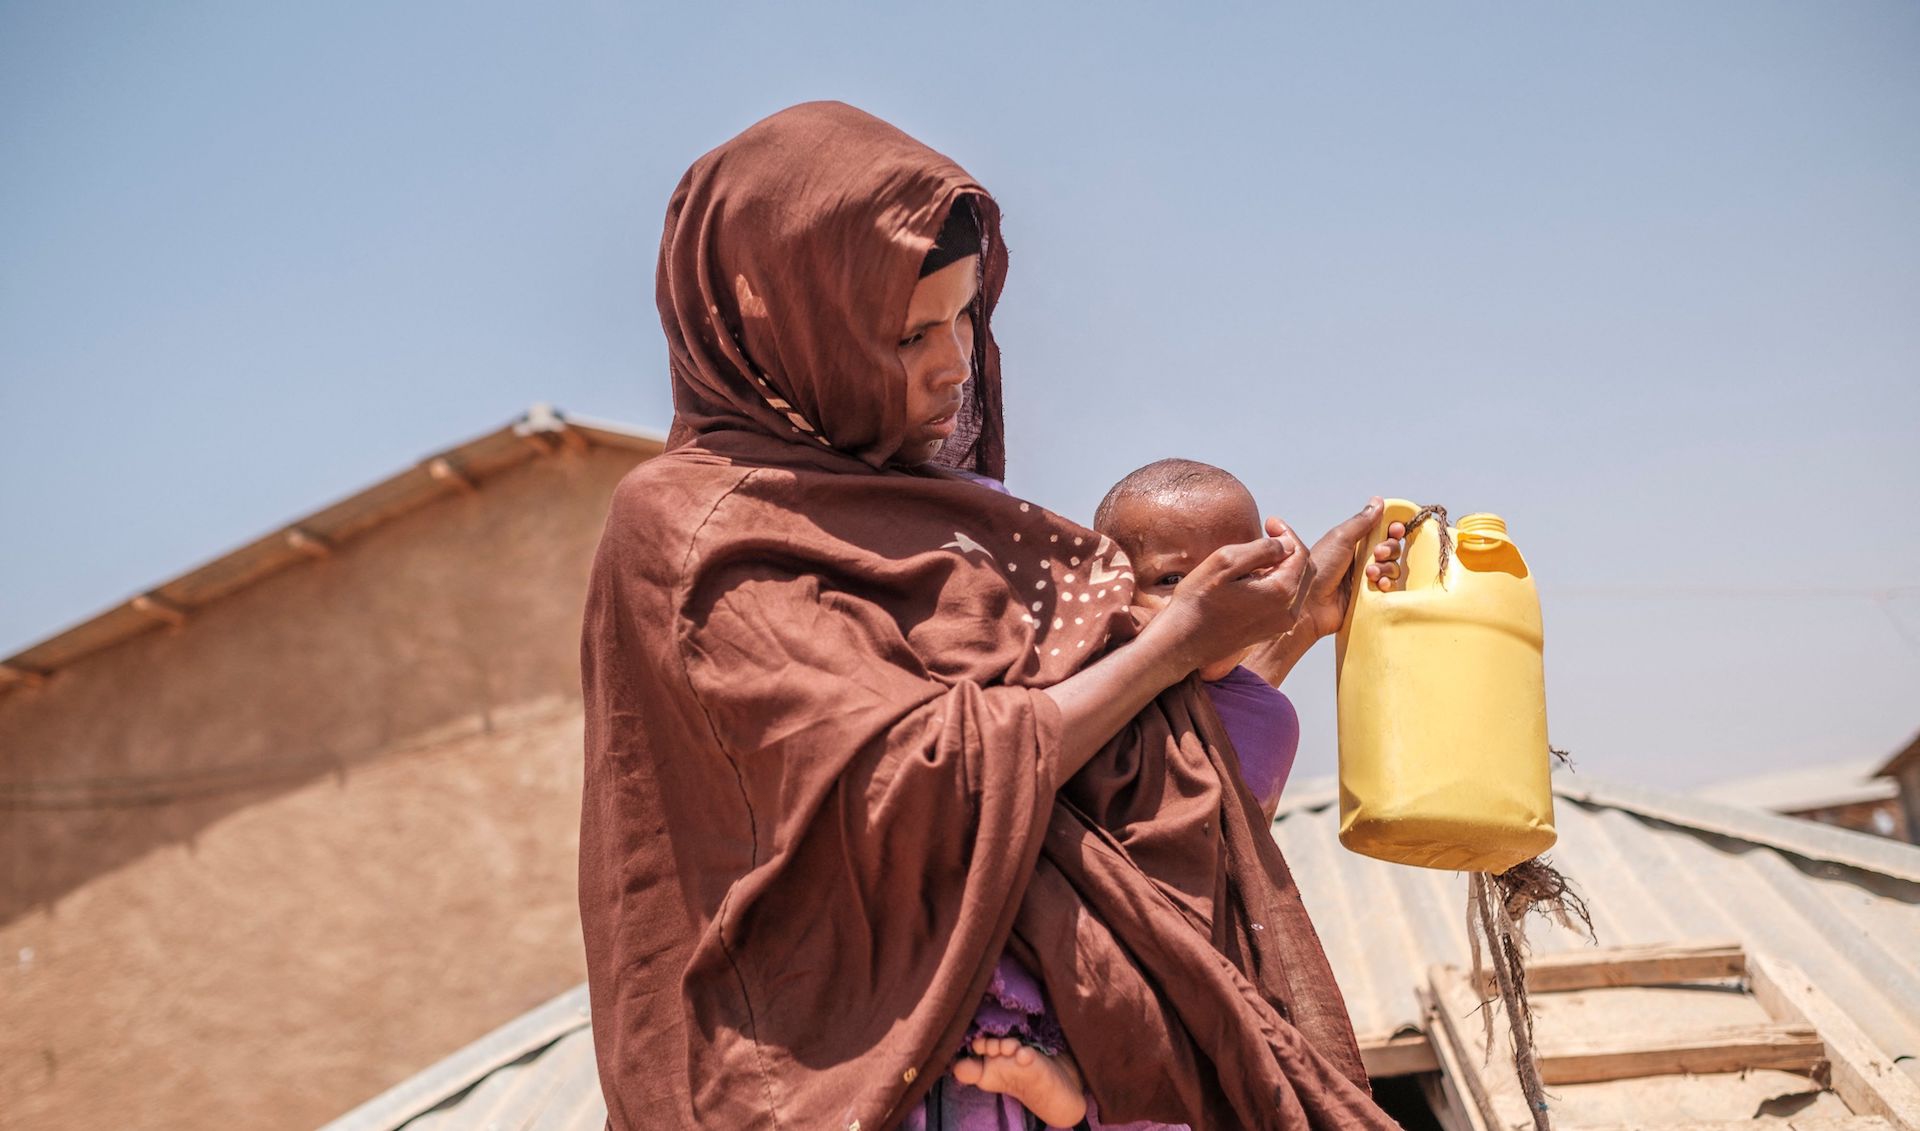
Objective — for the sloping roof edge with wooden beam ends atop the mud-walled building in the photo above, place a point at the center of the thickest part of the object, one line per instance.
(462, 468)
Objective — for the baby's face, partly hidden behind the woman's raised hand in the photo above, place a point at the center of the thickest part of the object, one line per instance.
(1170, 537)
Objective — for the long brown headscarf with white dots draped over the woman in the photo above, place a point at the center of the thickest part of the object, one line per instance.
(819, 756)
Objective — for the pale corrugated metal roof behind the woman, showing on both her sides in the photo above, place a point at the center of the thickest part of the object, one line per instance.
(1654, 867)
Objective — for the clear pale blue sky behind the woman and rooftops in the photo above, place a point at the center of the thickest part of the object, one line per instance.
(1641, 277)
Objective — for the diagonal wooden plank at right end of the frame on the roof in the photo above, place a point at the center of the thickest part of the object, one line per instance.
(1863, 1076)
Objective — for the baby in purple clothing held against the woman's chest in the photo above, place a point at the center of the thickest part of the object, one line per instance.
(1168, 517)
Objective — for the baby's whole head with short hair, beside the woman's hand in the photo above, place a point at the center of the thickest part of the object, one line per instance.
(1168, 517)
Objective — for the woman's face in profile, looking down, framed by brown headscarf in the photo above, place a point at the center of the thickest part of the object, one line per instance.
(938, 356)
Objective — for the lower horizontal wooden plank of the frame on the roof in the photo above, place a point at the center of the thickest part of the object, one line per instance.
(1727, 1049)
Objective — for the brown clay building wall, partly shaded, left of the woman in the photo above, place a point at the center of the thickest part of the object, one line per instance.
(266, 865)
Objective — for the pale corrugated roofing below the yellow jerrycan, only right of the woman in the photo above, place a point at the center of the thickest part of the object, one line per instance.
(1654, 869)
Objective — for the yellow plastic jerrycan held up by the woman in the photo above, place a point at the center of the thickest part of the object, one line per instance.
(1443, 704)
